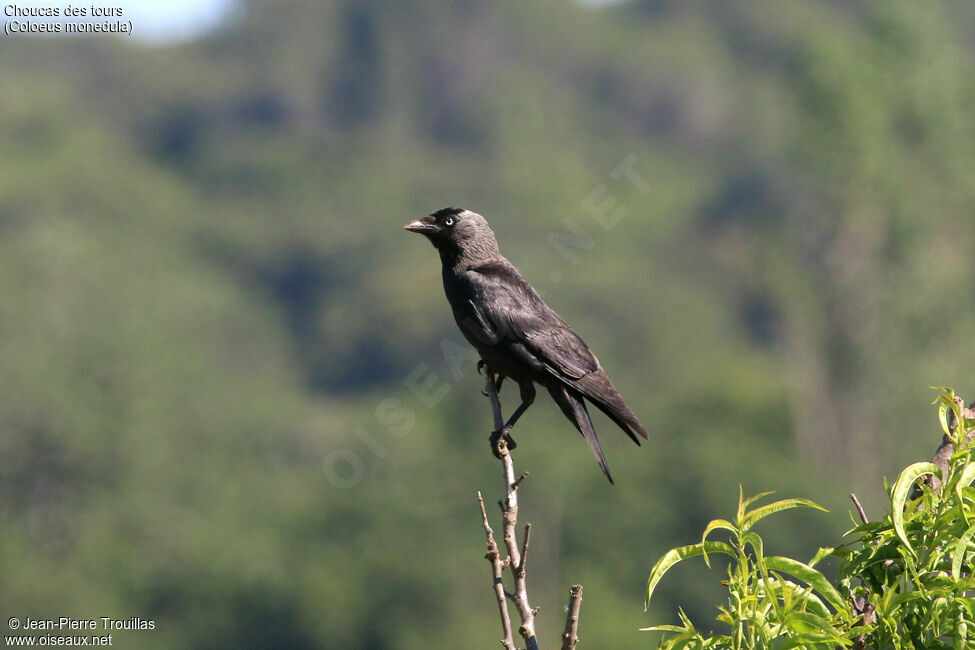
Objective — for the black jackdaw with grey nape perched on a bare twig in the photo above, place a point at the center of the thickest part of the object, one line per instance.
(517, 335)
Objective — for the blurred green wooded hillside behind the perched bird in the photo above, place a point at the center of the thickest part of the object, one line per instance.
(232, 397)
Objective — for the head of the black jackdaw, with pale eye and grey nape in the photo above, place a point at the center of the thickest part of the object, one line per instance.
(457, 233)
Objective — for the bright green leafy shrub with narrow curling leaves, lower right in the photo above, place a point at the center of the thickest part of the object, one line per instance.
(902, 582)
